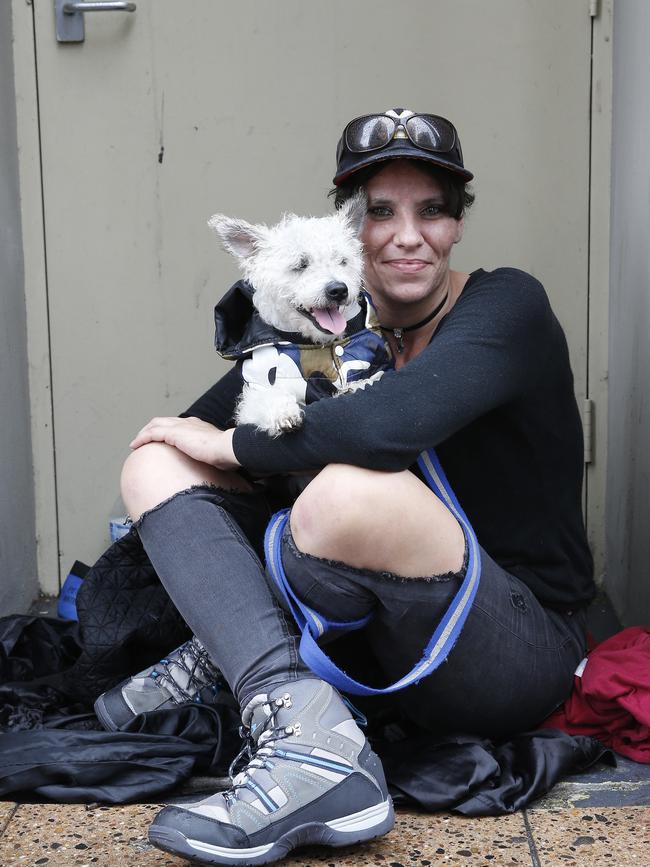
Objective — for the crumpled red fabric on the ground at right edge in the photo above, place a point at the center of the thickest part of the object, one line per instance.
(611, 701)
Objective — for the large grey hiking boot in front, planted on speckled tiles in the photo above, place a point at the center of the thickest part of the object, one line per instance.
(310, 778)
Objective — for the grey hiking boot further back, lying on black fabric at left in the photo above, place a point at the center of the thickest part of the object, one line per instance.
(185, 675)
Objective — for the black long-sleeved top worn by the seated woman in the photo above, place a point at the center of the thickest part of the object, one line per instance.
(493, 393)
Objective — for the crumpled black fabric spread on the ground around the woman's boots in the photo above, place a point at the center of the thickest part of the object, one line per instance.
(51, 671)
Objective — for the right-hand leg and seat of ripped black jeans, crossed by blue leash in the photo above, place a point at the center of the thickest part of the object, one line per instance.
(511, 666)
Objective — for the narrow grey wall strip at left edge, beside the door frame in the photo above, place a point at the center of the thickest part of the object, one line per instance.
(18, 581)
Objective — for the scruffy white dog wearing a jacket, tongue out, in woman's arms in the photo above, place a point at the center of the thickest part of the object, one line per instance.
(298, 325)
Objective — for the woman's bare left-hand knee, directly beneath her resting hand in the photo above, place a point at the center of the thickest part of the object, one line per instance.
(156, 471)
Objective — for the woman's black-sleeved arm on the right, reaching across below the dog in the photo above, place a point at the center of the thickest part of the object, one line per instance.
(489, 351)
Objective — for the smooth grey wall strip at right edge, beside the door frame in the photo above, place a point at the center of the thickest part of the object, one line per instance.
(628, 482)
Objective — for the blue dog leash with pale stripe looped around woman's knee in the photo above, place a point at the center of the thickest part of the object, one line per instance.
(312, 625)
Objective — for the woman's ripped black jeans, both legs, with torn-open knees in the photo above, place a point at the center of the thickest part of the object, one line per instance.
(511, 666)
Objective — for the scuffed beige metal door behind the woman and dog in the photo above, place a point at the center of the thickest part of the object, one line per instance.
(165, 115)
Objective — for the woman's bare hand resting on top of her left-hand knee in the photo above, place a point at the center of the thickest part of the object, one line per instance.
(196, 438)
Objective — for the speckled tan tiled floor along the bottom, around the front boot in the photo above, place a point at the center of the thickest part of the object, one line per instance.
(92, 836)
